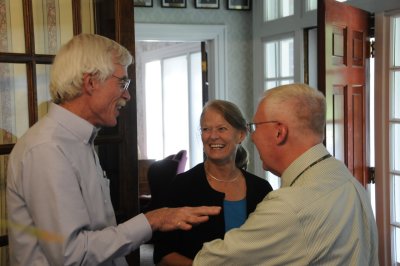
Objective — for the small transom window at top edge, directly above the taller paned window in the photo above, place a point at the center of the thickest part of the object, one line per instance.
(275, 9)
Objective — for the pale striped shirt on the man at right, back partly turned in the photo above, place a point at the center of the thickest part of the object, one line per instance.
(324, 218)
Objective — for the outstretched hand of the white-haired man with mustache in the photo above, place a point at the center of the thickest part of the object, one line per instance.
(168, 219)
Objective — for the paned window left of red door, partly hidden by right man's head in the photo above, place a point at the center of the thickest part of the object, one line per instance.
(279, 67)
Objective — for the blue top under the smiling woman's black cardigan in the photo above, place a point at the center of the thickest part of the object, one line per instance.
(234, 213)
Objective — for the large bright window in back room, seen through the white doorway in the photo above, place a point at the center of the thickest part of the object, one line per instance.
(173, 103)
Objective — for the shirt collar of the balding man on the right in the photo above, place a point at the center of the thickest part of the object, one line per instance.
(302, 162)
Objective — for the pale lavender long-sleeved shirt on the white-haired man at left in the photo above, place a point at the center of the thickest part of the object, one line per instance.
(55, 185)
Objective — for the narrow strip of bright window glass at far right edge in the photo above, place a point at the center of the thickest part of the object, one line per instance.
(394, 134)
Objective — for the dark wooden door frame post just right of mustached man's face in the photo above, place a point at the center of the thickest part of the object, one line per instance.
(128, 164)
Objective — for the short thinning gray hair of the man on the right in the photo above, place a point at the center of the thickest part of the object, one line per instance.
(307, 105)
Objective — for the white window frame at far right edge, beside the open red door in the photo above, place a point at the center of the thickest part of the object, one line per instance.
(384, 199)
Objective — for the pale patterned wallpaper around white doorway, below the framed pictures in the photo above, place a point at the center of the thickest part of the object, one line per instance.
(239, 44)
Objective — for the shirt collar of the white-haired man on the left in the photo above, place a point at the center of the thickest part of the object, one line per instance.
(78, 126)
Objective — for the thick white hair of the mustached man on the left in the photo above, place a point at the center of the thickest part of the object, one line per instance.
(85, 53)
